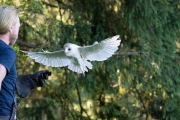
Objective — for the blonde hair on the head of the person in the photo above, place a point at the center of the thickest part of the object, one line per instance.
(8, 16)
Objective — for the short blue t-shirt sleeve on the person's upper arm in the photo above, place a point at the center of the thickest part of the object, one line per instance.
(7, 58)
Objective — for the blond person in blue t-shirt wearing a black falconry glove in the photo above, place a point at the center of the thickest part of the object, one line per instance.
(9, 81)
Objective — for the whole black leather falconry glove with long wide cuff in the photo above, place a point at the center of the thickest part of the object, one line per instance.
(24, 84)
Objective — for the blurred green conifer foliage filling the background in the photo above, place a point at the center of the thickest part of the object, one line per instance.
(125, 87)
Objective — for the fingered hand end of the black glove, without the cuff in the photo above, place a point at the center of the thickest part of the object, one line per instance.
(40, 77)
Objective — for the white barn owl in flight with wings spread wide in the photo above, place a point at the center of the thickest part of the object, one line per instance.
(76, 57)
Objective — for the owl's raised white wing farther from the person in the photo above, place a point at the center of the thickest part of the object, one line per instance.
(100, 51)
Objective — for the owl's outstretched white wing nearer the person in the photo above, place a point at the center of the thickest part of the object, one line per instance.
(53, 59)
